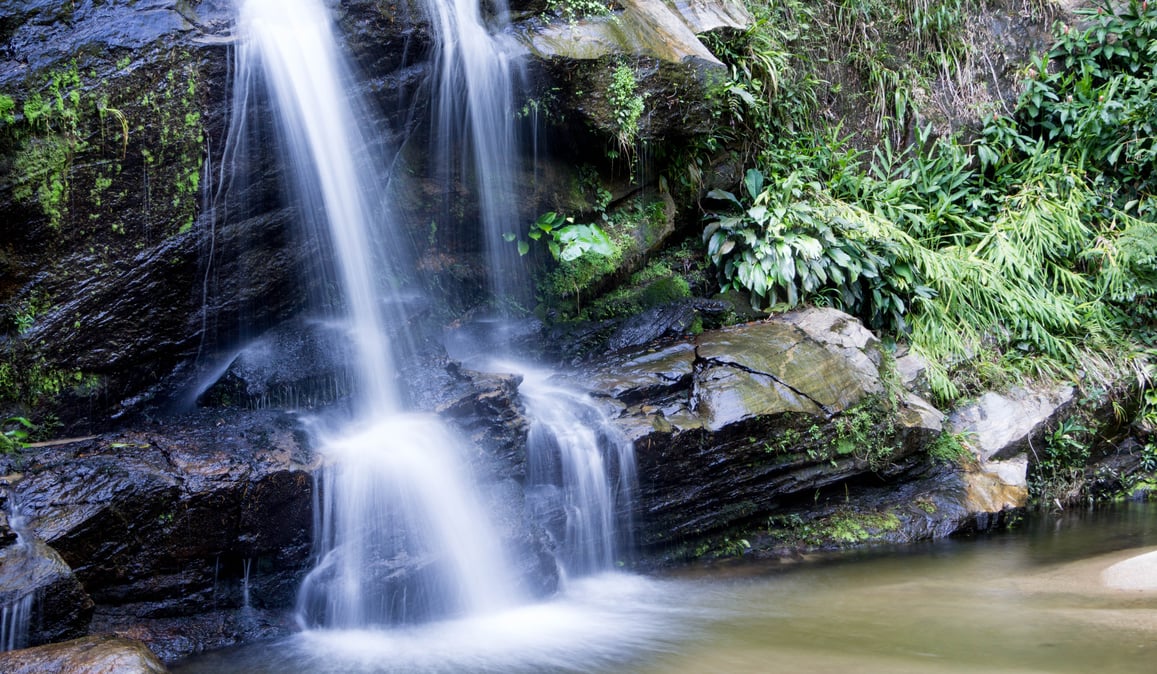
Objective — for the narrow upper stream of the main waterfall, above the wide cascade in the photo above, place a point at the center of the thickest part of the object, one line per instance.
(296, 46)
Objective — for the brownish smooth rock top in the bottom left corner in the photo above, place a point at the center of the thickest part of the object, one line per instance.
(98, 655)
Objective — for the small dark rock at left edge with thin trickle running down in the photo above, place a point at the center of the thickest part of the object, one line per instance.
(54, 602)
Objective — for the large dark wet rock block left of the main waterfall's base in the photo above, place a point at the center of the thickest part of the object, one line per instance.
(168, 521)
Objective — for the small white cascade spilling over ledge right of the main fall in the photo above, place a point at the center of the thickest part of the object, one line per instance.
(581, 476)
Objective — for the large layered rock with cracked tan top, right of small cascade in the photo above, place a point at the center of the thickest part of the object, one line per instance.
(747, 423)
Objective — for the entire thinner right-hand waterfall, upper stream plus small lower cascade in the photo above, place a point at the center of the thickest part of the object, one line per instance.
(580, 478)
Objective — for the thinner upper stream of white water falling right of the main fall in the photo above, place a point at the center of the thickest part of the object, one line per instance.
(475, 127)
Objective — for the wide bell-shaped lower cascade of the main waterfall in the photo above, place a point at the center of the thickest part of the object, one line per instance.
(404, 538)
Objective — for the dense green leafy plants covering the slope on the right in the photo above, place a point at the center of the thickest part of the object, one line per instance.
(1034, 241)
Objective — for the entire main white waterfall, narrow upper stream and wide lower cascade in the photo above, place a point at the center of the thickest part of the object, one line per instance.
(400, 535)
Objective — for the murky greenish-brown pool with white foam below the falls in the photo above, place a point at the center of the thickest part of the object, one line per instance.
(1026, 601)
